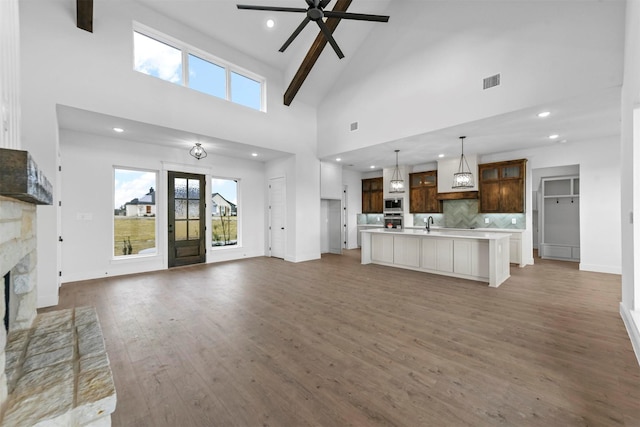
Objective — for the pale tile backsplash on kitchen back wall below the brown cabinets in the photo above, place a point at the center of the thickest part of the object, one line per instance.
(464, 214)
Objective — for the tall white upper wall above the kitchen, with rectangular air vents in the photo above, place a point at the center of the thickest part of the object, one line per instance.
(404, 83)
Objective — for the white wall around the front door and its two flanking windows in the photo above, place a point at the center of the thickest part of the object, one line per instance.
(87, 189)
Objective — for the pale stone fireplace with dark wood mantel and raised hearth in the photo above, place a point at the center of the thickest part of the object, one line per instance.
(54, 369)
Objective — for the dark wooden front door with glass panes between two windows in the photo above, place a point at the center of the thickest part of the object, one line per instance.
(186, 219)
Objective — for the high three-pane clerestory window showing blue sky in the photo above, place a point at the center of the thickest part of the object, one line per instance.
(161, 56)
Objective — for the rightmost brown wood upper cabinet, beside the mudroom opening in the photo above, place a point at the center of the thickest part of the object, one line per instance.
(501, 186)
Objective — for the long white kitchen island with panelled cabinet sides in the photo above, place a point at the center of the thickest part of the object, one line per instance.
(467, 254)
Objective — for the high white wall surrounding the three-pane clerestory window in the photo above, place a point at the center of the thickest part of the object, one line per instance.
(62, 64)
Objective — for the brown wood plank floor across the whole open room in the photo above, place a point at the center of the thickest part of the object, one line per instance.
(263, 342)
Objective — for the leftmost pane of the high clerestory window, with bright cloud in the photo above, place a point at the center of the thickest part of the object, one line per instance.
(157, 59)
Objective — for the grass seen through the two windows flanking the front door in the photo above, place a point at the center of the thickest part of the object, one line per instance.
(141, 231)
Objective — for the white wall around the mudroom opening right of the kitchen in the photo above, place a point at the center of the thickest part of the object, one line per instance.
(599, 162)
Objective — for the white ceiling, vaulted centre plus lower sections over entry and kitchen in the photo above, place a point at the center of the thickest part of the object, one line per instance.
(595, 116)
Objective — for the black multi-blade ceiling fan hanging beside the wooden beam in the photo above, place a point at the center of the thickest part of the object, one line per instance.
(316, 12)
